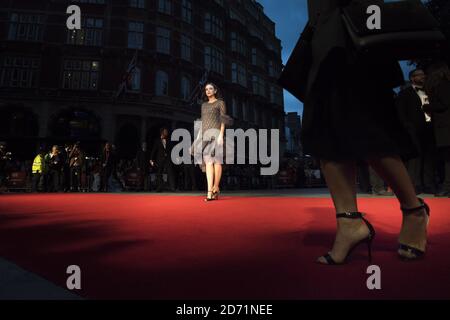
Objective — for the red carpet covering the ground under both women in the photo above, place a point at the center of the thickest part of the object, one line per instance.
(178, 247)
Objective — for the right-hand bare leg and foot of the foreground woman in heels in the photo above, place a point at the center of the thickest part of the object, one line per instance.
(414, 226)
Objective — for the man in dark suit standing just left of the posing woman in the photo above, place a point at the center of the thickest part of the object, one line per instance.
(160, 156)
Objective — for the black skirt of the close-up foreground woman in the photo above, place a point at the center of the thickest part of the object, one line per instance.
(350, 112)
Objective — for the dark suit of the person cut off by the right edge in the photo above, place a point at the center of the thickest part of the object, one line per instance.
(440, 115)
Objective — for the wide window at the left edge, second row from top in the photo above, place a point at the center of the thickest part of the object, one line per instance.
(20, 72)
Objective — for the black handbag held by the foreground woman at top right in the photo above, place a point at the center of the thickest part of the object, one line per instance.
(408, 29)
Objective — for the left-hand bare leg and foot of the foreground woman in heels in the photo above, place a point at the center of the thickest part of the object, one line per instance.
(341, 181)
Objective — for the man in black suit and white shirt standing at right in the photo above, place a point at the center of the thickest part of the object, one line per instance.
(409, 105)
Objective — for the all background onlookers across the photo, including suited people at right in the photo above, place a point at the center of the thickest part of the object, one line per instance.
(68, 169)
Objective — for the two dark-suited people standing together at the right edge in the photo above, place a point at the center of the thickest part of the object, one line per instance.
(424, 110)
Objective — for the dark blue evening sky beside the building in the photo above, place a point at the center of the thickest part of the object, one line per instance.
(290, 17)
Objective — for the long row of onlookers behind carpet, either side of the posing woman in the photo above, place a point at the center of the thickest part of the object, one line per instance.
(69, 168)
